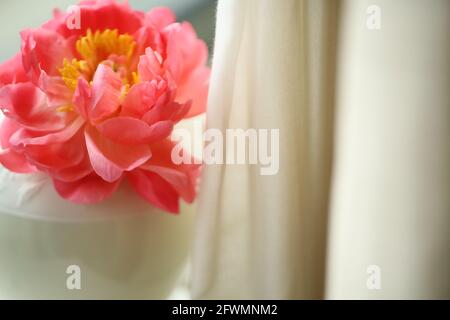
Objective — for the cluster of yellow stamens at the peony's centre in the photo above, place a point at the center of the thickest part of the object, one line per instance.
(108, 47)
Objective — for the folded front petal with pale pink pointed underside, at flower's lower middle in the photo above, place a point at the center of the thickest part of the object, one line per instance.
(110, 159)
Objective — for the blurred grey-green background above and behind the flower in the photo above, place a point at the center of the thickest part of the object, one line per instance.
(16, 15)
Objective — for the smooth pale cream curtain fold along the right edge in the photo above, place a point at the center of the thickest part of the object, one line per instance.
(391, 189)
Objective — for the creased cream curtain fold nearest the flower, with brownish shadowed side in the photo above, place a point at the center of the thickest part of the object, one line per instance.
(247, 222)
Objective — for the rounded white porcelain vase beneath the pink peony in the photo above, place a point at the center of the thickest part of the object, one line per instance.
(124, 248)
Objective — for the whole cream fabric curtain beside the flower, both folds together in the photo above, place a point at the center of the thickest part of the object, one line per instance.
(364, 179)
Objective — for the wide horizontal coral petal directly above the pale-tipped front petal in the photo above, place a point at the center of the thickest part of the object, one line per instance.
(132, 131)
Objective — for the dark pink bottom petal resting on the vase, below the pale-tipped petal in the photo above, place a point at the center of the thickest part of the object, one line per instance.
(89, 190)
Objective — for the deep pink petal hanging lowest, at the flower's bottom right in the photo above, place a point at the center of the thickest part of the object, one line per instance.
(155, 190)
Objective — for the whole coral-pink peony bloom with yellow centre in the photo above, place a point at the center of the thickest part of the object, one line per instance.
(91, 107)
